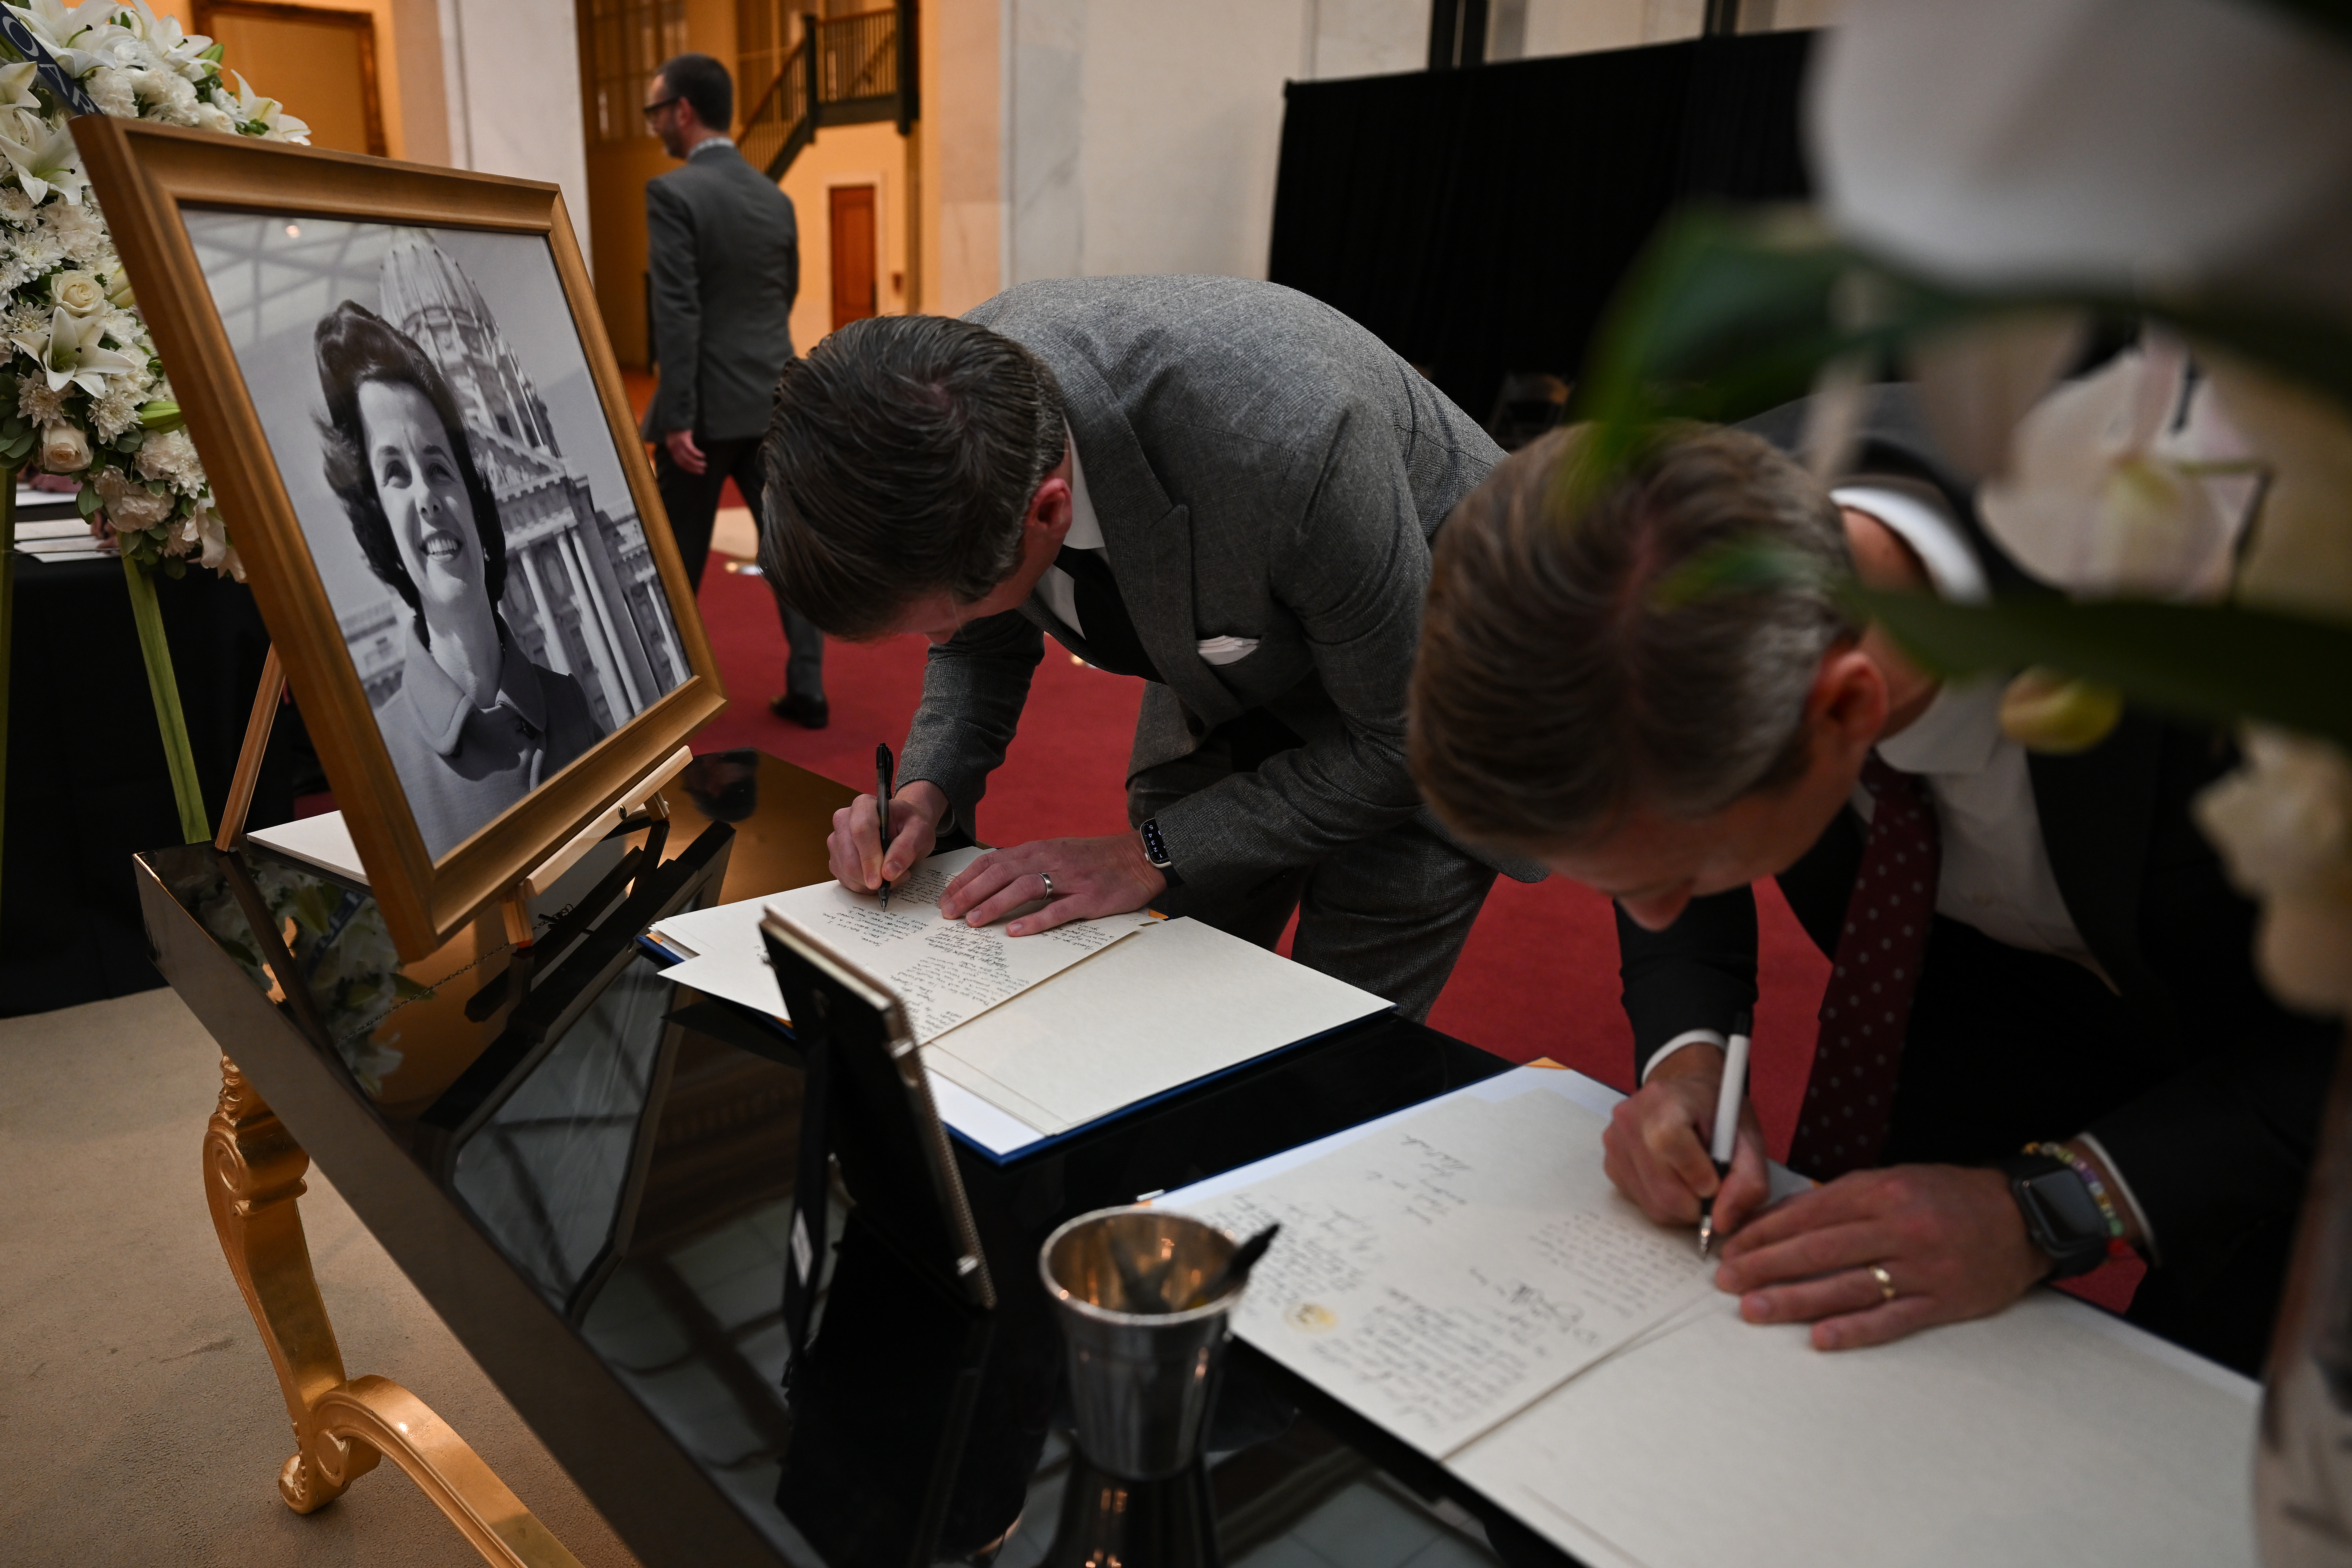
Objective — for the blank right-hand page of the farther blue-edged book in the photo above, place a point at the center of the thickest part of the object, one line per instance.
(1170, 1005)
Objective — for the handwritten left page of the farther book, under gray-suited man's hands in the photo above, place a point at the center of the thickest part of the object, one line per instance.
(942, 970)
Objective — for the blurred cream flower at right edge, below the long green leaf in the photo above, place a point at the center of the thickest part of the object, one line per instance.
(2285, 829)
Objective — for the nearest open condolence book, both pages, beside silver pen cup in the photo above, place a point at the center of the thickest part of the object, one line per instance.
(1464, 1275)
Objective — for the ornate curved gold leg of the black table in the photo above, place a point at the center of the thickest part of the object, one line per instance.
(342, 1426)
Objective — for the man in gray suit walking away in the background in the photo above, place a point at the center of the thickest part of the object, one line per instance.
(726, 262)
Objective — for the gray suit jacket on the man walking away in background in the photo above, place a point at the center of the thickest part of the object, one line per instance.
(726, 262)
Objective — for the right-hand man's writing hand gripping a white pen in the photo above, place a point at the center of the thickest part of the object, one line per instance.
(1657, 1146)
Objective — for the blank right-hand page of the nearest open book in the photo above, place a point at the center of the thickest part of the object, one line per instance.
(2043, 1435)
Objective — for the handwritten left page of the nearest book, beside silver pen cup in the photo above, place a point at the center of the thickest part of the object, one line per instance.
(1459, 1264)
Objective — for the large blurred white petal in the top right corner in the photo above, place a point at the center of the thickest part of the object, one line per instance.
(2099, 142)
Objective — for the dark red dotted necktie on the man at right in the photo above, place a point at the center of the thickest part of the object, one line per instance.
(1866, 1007)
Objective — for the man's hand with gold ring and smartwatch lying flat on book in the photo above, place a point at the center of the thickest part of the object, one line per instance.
(1951, 1242)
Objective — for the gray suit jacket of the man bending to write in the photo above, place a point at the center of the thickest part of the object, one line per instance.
(1262, 469)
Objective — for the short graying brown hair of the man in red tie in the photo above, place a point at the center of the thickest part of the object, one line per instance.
(1572, 674)
